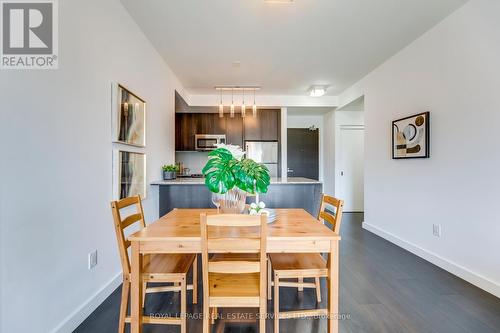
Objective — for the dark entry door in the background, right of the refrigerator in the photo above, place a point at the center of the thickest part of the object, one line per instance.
(303, 153)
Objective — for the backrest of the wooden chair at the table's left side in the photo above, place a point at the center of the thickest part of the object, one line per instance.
(122, 223)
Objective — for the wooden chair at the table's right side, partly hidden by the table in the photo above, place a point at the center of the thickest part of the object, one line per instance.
(303, 265)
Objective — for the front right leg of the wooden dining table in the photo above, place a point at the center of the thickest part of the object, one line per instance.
(333, 287)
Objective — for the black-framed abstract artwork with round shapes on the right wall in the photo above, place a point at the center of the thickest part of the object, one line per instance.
(411, 137)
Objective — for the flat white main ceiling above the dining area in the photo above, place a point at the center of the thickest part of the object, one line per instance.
(285, 48)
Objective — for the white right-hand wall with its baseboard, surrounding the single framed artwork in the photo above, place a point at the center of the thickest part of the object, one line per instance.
(452, 71)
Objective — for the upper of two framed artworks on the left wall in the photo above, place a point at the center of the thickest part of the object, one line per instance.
(129, 117)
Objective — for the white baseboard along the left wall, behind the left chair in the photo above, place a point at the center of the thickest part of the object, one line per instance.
(71, 322)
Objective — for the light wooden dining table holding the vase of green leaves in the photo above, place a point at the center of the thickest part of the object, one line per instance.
(294, 231)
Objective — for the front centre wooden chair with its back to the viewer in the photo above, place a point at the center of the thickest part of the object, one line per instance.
(235, 279)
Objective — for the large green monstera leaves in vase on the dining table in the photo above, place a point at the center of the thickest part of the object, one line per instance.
(231, 177)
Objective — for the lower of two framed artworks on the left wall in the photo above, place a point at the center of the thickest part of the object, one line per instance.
(129, 174)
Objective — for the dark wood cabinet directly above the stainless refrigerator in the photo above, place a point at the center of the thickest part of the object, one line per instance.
(265, 127)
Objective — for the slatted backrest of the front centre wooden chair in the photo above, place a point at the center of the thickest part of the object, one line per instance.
(242, 238)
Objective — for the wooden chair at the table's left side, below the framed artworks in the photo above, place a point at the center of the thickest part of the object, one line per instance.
(171, 268)
